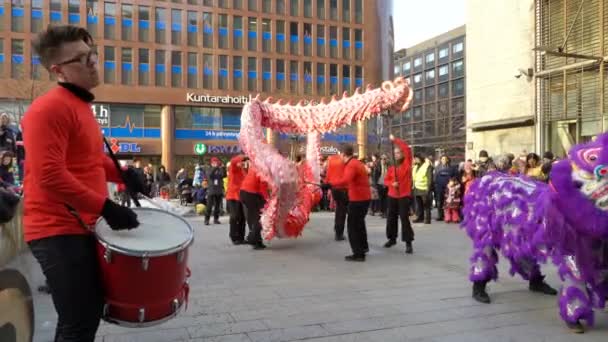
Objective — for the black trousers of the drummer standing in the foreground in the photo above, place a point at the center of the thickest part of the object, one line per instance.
(69, 263)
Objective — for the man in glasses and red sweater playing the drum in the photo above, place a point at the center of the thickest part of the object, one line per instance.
(67, 168)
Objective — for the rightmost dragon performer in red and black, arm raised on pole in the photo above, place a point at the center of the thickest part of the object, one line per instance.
(399, 182)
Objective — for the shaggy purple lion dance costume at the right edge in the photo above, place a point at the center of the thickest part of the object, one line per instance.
(530, 222)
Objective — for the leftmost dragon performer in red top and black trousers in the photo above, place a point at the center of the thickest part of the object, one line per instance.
(236, 175)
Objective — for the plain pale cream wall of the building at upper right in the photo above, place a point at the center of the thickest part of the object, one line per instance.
(500, 39)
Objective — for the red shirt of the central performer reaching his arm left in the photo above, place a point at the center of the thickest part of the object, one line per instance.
(356, 181)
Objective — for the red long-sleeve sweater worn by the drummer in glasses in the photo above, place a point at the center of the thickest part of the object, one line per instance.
(65, 164)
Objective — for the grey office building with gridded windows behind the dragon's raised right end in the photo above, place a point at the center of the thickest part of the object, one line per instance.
(435, 122)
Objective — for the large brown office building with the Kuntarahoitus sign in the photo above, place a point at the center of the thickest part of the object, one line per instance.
(175, 74)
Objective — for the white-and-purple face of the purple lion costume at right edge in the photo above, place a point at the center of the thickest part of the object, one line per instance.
(590, 170)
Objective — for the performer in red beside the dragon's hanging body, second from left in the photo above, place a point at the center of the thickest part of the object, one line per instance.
(254, 194)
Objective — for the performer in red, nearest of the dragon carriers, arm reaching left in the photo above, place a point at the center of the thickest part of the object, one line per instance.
(356, 180)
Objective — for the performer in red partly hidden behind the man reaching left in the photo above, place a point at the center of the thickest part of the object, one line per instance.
(335, 171)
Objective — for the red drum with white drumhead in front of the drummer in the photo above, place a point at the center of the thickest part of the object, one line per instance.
(144, 270)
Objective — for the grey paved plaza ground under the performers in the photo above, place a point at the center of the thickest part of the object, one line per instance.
(304, 290)
